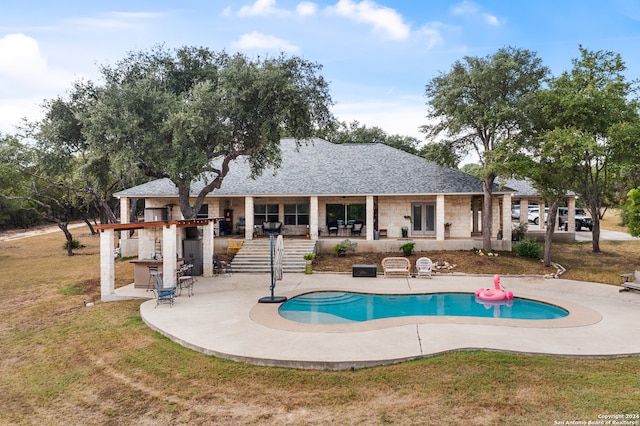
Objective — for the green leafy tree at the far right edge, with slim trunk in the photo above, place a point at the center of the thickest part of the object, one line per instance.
(591, 129)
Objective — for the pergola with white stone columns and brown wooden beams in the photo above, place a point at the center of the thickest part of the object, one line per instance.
(169, 250)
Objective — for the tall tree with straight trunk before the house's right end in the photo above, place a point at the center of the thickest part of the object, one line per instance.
(480, 105)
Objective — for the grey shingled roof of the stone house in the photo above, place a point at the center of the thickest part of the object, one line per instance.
(318, 167)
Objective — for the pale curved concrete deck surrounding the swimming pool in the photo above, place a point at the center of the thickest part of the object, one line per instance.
(224, 319)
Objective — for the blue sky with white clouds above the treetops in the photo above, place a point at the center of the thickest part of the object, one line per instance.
(377, 55)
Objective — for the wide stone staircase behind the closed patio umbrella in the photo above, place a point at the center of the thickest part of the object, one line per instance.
(254, 255)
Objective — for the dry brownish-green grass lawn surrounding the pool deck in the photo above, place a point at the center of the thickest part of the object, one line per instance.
(63, 363)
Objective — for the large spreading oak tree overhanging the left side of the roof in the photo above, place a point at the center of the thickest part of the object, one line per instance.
(186, 114)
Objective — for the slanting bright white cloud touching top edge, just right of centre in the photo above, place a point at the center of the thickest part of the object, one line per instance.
(383, 19)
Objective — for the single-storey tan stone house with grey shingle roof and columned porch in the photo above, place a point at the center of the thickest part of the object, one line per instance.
(320, 185)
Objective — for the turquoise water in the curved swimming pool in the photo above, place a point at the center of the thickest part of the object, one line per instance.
(333, 307)
